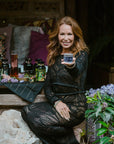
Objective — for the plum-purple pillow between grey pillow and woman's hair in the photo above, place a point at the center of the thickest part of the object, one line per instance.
(38, 46)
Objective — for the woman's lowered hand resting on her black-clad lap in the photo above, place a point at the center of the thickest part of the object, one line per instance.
(63, 110)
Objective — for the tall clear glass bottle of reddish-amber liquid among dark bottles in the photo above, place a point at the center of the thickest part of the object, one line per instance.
(14, 65)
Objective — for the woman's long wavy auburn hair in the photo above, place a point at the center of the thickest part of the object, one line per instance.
(54, 48)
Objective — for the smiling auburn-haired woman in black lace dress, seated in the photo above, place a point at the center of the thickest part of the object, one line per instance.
(53, 121)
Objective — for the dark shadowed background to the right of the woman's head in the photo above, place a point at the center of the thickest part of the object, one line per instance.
(96, 18)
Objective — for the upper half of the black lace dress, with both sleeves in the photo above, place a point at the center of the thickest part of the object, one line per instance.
(61, 80)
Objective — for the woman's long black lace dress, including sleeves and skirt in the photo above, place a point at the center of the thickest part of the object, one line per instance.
(62, 84)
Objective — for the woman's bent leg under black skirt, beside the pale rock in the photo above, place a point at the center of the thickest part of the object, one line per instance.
(42, 120)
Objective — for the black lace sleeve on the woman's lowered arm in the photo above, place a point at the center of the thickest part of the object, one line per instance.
(48, 89)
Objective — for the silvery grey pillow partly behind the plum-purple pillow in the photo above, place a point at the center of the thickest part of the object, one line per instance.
(21, 41)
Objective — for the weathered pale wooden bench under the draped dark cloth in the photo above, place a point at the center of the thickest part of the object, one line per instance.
(9, 100)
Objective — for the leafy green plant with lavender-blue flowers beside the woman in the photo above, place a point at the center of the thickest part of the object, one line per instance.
(101, 112)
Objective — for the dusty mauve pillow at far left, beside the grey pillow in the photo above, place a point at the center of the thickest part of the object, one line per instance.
(8, 32)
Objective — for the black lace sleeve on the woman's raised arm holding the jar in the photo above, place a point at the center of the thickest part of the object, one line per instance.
(81, 63)
